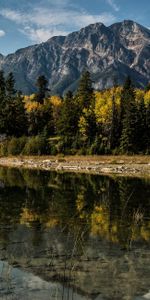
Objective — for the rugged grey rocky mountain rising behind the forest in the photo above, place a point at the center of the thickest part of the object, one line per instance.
(107, 52)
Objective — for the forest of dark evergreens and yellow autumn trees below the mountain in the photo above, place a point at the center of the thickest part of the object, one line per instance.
(86, 122)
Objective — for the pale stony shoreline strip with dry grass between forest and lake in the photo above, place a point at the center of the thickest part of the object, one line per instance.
(100, 165)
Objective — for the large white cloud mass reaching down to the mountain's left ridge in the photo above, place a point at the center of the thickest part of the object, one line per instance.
(41, 23)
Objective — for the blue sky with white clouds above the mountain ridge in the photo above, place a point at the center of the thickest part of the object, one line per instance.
(28, 22)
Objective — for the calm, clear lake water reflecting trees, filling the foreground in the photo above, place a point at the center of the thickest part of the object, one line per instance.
(68, 236)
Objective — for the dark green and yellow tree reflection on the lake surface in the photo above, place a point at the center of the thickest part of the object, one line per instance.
(116, 209)
